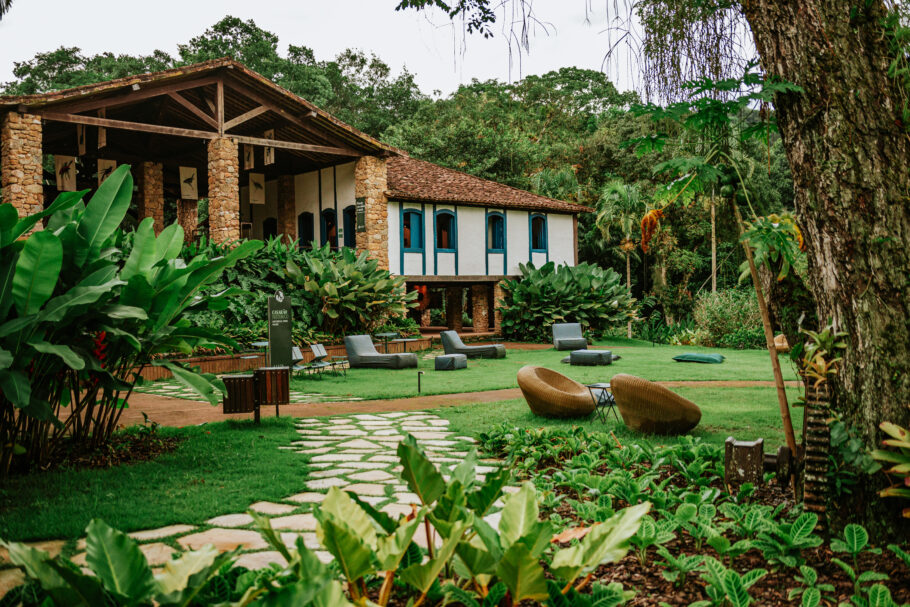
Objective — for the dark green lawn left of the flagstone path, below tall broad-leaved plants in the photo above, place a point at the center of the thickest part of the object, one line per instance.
(219, 468)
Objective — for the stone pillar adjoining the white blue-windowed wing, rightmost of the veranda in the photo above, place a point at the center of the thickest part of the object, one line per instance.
(370, 184)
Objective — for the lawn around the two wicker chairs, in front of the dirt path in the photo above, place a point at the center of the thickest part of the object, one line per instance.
(745, 413)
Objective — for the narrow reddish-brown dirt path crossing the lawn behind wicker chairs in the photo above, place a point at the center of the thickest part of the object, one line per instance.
(179, 412)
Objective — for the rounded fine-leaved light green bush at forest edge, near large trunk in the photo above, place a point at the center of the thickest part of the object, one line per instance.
(730, 318)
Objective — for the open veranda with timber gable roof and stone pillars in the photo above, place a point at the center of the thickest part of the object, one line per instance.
(212, 131)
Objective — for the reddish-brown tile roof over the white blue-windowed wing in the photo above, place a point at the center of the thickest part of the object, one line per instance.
(418, 180)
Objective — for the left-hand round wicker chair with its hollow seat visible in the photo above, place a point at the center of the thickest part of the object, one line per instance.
(551, 394)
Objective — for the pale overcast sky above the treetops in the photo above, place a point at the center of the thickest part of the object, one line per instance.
(426, 43)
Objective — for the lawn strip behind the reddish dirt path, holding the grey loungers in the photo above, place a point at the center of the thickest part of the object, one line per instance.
(638, 358)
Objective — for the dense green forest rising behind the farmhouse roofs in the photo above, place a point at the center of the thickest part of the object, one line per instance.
(562, 134)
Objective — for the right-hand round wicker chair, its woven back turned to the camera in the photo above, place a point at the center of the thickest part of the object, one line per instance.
(651, 408)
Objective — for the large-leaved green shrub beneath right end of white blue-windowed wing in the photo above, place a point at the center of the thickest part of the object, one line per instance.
(585, 293)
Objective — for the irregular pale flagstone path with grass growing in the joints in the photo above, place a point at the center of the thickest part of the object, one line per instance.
(355, 453)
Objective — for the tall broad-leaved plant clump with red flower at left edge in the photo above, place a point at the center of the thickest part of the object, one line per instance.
(80, 317)
